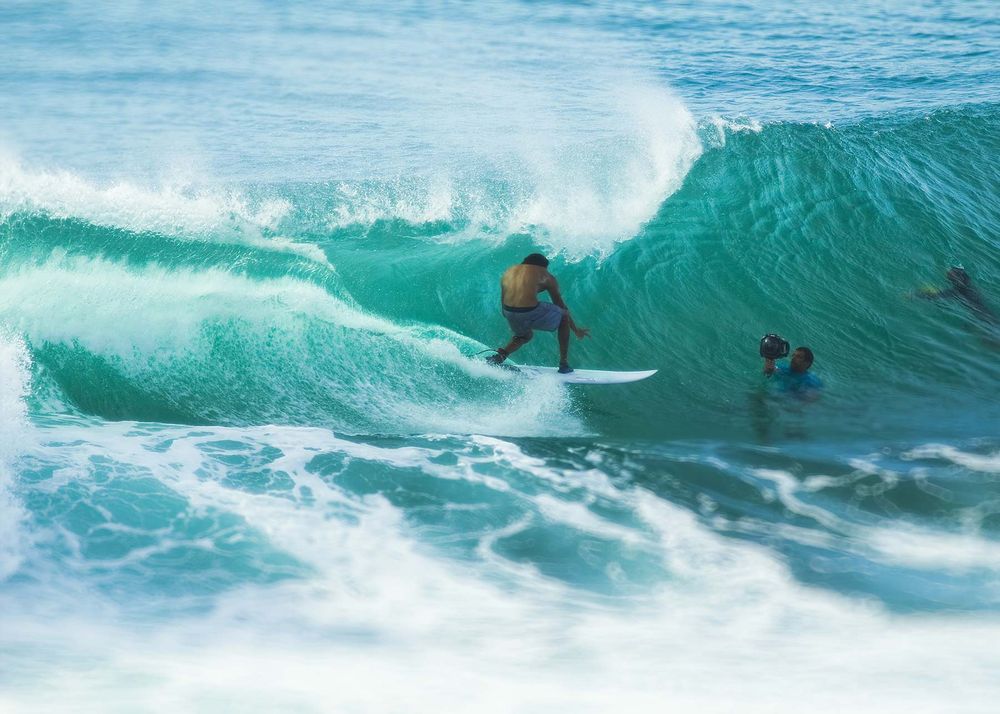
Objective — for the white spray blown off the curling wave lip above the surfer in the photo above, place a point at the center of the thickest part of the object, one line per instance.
(578, 197)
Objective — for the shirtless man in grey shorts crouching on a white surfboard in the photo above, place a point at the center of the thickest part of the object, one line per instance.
(519, 288)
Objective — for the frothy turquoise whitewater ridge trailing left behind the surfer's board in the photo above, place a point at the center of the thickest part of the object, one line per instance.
(195, 345)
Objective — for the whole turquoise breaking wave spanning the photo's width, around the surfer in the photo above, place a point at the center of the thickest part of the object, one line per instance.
(367, 326)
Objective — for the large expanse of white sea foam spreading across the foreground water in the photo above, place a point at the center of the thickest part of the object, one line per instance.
(728, 624)
